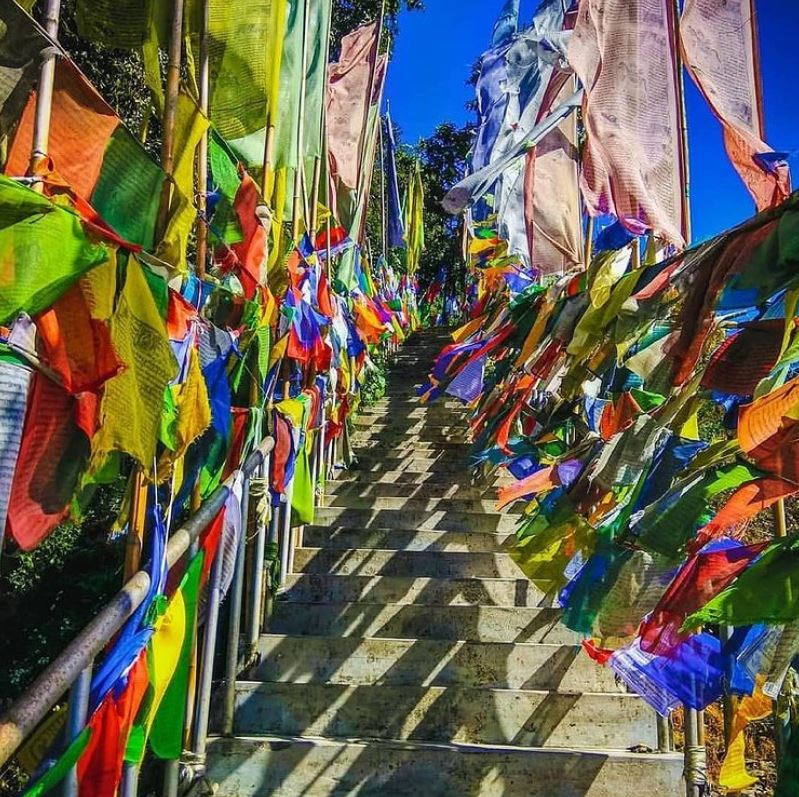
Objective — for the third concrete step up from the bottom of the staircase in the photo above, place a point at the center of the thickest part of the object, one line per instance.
(405, 662)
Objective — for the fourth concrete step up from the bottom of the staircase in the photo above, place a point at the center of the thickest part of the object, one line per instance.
(456, 623)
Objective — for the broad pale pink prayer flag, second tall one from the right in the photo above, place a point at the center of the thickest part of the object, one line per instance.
(624, 53)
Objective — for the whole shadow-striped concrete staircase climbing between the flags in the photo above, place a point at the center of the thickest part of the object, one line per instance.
(410, 656)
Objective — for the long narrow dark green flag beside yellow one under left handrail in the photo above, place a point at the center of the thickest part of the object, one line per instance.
(166, 734)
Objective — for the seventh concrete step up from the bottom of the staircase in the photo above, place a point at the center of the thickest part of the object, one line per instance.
(406, 540)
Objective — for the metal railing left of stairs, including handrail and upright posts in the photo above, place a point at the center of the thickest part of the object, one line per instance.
(71, 672)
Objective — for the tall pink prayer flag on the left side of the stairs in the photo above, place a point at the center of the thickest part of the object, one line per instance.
(349, 82)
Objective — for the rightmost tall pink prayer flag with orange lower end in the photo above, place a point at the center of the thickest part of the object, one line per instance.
(719, 42)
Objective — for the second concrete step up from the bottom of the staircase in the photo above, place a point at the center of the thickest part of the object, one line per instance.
(526, 718)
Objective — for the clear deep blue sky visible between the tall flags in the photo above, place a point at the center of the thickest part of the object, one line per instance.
(436, 48)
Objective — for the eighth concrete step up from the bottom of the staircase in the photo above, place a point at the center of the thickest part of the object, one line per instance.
(414, 519)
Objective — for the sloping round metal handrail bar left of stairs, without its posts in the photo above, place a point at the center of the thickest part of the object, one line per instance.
(25, 714)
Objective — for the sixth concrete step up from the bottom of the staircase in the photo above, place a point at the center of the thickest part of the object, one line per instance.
(419, 564)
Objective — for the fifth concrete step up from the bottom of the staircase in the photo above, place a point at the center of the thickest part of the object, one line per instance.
(326, 588)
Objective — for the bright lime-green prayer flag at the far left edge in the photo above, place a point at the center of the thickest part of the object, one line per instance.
(43, 250)
